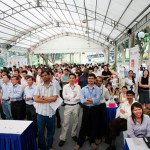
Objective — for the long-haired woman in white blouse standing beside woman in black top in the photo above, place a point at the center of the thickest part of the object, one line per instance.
(130, 81)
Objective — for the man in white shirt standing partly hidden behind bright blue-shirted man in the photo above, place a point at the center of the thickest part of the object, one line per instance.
(102, 109)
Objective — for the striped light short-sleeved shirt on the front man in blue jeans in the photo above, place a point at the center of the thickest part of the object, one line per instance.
(44, 108)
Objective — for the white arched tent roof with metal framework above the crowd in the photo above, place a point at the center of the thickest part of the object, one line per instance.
(25, 23)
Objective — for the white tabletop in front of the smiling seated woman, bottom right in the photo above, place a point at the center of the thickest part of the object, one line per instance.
(136, 144)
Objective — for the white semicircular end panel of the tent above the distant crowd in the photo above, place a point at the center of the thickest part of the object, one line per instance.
(68, 44)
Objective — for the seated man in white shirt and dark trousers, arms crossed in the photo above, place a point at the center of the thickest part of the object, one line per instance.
(120, 123)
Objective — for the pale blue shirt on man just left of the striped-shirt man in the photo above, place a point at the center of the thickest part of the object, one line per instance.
(29, 92)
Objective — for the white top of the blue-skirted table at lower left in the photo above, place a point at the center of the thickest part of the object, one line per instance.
(13, 126)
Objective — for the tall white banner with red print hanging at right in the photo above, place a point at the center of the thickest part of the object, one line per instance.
(134, 59)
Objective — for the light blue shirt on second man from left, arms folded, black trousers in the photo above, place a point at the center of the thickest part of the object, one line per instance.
(16, 92)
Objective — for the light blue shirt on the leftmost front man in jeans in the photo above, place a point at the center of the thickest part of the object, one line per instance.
(6, 89)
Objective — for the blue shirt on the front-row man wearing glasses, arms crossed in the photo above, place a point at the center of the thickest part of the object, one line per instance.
(94, 94)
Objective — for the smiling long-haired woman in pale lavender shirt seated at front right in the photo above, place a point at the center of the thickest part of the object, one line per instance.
(138, 124)
